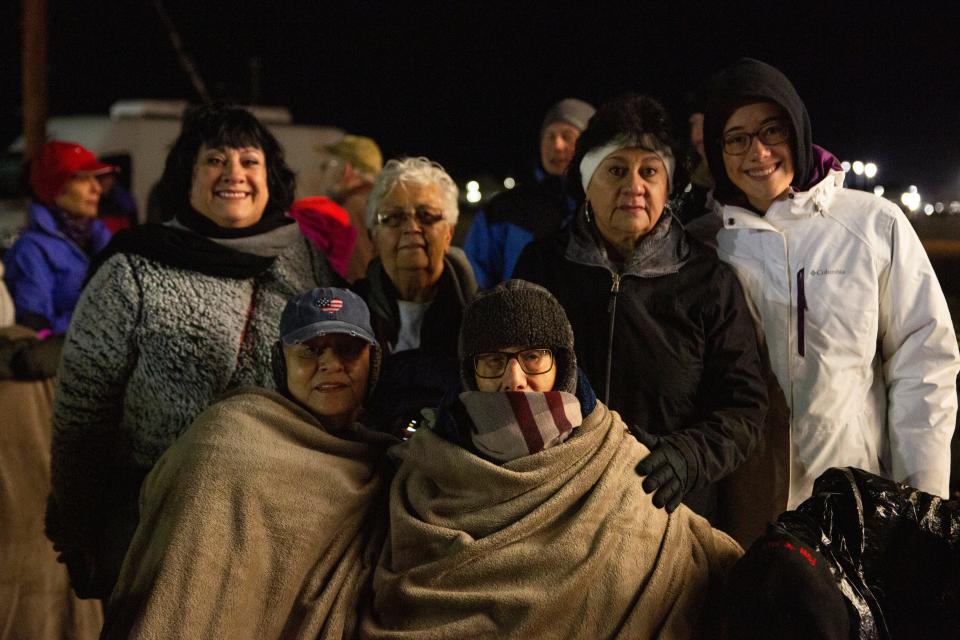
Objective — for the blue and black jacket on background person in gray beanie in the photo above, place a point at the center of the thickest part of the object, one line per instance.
(512, 220)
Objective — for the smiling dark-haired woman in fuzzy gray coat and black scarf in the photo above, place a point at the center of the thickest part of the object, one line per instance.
(173, 315)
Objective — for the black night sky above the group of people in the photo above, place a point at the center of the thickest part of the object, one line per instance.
(467, 83)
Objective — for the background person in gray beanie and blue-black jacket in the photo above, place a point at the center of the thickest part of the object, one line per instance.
(533, 209)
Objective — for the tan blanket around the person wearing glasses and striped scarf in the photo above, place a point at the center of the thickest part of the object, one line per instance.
(563, 543)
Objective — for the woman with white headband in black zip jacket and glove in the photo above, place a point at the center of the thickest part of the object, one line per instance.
(662, 329)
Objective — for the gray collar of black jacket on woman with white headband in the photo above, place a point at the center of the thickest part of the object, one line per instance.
(662, 251)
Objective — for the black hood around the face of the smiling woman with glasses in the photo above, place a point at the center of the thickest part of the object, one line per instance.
(753, 81)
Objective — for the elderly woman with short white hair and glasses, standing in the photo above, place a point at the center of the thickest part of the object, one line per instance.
(416, 287)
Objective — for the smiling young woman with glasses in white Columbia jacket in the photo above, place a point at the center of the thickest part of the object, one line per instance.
(855, 322)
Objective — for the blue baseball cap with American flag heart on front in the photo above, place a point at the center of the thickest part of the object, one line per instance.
(323, 311)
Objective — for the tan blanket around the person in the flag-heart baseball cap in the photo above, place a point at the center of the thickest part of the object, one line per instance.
(256, 523)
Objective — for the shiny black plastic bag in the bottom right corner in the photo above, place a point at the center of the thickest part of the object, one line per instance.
(894, 551)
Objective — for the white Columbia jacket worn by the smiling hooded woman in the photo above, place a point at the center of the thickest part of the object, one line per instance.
(858, 332)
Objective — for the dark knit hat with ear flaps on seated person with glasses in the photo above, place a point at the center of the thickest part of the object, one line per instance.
(517, 313)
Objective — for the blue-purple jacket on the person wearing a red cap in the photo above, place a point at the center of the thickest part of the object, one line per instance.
(45, 269)
